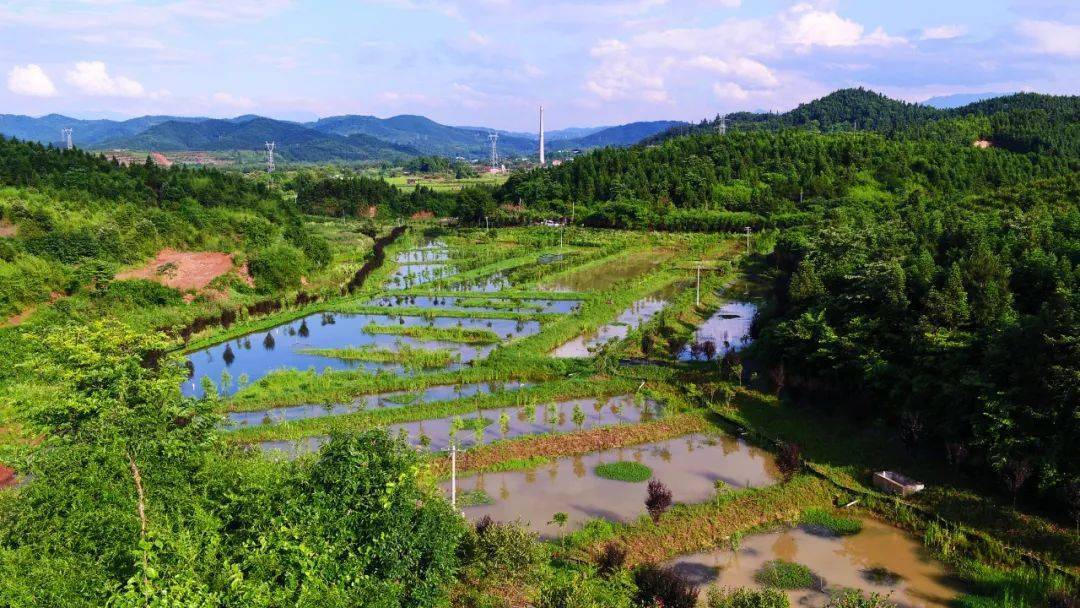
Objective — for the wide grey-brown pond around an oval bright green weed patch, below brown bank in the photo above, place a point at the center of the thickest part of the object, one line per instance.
(688, 466)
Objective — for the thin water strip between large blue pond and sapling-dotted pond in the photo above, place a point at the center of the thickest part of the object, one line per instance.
(380, 401)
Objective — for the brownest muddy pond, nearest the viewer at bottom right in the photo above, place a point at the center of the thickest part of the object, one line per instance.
(842, 562)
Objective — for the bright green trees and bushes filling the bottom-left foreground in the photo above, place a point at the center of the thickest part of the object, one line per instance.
(133, 492)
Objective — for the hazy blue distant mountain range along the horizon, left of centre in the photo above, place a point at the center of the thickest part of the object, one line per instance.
(346, 139)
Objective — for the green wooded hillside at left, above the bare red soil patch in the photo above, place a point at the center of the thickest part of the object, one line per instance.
(75, 219)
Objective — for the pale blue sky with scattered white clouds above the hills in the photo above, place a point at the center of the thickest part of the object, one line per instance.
(493, 62)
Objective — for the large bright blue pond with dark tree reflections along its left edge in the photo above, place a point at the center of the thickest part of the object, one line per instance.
(258, 355)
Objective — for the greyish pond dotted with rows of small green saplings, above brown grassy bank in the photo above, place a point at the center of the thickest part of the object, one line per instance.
(435, 435)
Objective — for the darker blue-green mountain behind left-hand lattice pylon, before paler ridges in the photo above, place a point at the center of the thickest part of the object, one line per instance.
(295, 142)
